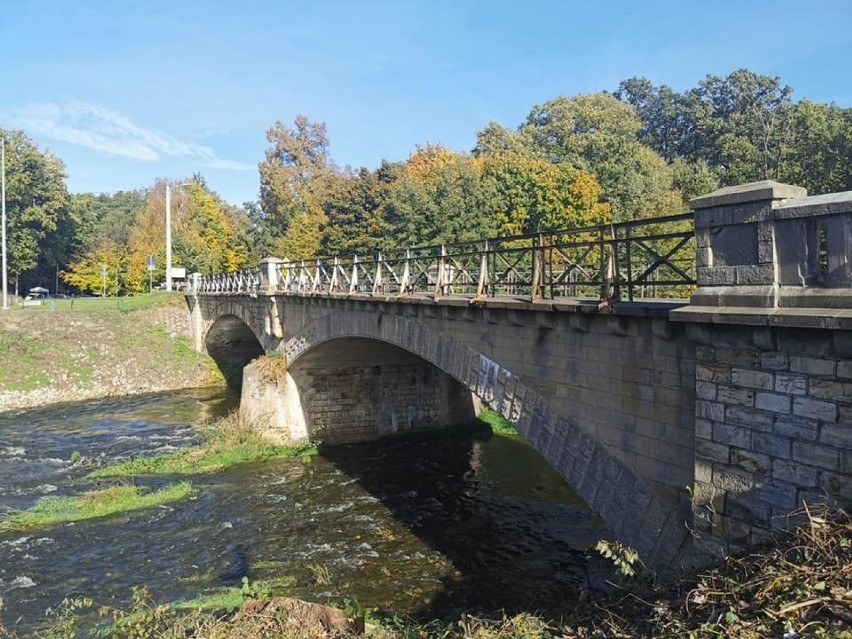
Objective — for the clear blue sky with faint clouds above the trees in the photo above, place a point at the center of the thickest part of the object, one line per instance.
(128, 91)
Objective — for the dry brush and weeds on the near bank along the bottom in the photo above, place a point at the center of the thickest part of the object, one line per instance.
(800, 587)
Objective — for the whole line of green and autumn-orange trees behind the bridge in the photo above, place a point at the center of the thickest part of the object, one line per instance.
(638, 152)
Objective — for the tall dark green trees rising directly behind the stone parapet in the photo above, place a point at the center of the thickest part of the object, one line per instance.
(745, 127)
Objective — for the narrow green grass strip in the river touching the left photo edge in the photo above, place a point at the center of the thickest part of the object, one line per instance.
(90, 505)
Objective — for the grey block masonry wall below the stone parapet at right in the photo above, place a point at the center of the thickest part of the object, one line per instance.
(773, 428)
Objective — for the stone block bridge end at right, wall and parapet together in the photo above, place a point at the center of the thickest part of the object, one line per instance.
(772, 319)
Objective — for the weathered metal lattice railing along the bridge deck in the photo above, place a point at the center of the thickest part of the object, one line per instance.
(639, 259)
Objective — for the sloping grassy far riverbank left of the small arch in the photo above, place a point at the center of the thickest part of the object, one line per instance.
(98, 348)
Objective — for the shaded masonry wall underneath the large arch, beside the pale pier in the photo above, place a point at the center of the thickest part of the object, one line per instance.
(344, 405)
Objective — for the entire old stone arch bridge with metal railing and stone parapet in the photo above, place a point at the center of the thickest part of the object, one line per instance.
(689, 428)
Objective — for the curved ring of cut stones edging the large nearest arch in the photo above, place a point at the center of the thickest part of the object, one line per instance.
(622, 499)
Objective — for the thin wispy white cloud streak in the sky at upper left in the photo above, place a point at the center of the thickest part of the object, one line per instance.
(109, 132)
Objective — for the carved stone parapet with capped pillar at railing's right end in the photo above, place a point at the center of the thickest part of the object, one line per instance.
(768, 245)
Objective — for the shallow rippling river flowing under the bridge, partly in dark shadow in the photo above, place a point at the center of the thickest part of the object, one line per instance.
(426, 526)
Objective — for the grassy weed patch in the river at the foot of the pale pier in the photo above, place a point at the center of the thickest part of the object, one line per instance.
(228, 442)
